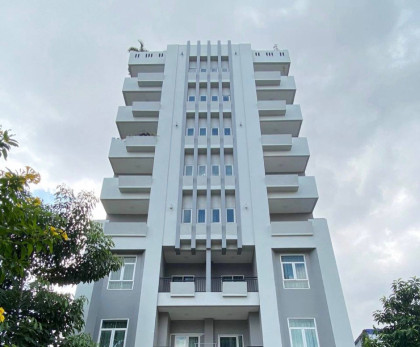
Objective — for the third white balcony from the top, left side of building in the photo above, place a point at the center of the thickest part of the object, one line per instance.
(138, 119)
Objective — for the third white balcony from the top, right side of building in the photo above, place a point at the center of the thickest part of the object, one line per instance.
(278, 118)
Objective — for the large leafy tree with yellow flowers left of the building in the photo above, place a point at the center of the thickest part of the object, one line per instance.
(42, 246)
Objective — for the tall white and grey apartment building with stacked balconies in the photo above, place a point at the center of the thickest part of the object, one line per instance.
(211, 210)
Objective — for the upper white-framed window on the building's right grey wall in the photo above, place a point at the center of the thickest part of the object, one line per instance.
(294, 272)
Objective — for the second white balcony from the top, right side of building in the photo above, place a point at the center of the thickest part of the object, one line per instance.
(286, 91)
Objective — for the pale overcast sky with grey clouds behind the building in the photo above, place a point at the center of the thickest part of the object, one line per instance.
(356, 65)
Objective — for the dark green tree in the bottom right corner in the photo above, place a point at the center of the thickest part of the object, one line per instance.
(400, 316)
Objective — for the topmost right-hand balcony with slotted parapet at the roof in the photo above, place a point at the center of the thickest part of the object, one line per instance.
(272, 61)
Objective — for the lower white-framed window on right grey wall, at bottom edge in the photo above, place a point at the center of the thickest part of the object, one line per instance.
(303, 332)
